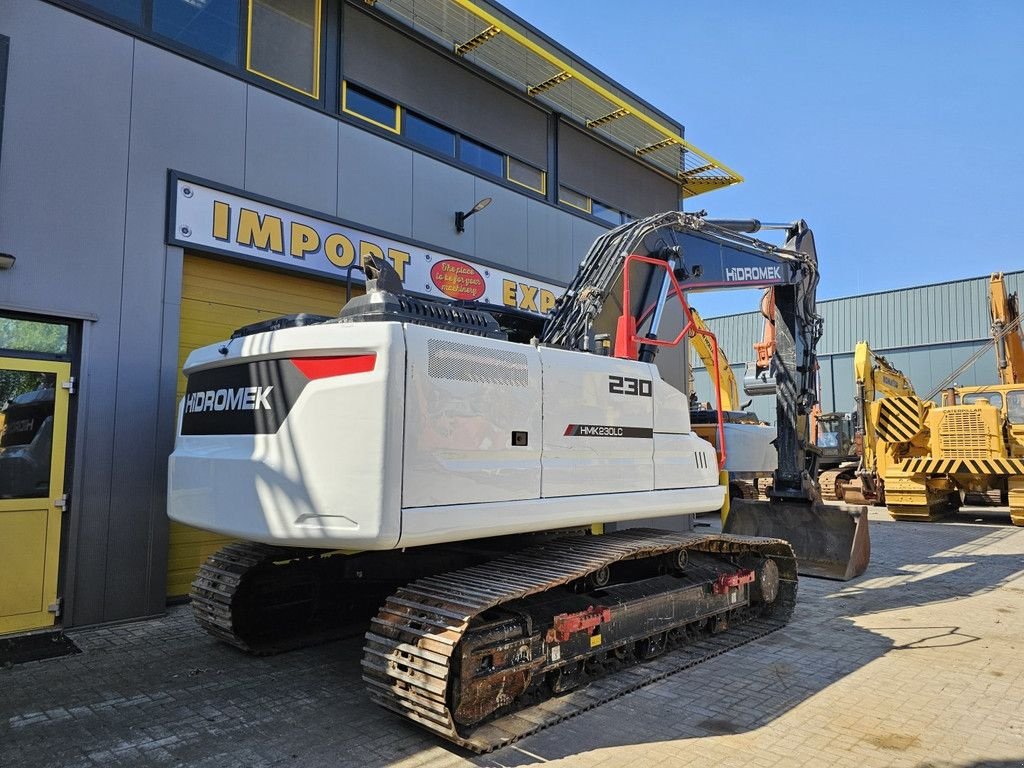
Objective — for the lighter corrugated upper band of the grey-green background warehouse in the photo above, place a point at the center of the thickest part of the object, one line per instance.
(940, 314)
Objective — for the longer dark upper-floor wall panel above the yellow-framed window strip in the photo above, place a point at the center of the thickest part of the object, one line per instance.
(415, 76)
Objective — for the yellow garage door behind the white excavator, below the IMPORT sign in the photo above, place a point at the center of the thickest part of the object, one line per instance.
(218, 298)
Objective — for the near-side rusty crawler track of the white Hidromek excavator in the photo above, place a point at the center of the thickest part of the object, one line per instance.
(473, 656)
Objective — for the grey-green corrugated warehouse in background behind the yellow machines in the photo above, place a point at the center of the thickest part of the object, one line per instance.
(928, 332)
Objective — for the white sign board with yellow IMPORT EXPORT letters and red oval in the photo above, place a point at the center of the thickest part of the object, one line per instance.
(204, 218)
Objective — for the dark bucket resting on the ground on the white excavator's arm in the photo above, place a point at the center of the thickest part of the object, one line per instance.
(831, 542)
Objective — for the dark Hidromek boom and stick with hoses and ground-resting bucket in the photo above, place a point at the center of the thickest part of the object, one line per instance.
(623, 298)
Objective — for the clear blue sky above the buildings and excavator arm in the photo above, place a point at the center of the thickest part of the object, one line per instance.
(897, 130)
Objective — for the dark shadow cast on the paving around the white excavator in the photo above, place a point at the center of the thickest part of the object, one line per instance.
(161, 692)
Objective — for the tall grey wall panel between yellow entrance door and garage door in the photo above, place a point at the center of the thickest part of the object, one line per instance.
(192, 119)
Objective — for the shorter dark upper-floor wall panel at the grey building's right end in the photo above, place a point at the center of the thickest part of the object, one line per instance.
(587, 165)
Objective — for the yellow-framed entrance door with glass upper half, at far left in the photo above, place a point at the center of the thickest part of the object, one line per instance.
(33, 441)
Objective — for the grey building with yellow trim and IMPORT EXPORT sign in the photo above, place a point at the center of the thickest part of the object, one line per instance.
(172, 170)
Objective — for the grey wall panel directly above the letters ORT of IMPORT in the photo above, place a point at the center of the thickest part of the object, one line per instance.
(375, 182)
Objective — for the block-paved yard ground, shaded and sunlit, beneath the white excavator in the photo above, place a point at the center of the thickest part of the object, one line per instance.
(920, 663)
